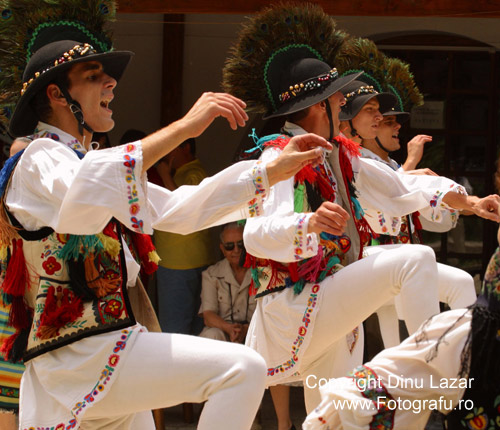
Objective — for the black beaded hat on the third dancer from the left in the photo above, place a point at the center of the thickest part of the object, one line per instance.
(358, 93)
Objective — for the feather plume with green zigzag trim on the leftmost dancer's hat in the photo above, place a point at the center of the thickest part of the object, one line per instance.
(26, 25)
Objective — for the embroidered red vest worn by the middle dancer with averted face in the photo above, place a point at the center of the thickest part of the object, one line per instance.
(312, 187)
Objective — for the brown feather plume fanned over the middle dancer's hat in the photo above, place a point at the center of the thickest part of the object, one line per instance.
(273, 29)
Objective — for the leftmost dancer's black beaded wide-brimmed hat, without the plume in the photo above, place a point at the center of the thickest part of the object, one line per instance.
(47, 65)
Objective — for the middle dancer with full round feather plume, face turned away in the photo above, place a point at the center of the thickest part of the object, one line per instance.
(303, 250)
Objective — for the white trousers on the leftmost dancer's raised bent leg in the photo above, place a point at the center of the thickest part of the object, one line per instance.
(164, 370)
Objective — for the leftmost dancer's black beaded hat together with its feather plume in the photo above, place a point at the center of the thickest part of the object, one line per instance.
(41, 39)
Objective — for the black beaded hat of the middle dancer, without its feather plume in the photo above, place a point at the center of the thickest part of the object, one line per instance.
(298, 84)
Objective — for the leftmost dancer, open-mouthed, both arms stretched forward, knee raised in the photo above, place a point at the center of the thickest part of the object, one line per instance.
(74, 219)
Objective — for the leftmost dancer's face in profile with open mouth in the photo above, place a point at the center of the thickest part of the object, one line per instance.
(93, 89)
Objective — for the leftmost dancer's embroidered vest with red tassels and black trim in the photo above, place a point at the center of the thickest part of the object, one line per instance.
(61, 288)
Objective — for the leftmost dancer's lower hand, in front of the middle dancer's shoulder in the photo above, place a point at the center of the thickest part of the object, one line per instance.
(300, 151)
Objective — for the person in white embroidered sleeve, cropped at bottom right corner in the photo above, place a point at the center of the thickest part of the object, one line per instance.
(450, 364)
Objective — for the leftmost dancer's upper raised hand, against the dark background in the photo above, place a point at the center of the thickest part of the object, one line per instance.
(210, 106)
